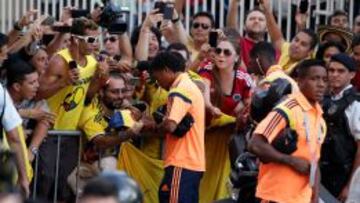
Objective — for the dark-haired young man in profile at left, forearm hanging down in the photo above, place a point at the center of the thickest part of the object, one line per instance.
(22, 86)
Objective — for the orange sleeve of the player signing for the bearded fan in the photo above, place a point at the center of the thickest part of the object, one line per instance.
(179, 104)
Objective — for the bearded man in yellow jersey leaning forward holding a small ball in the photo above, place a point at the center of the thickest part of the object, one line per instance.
(106, 124)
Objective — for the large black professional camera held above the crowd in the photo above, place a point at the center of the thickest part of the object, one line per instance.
(112, 17)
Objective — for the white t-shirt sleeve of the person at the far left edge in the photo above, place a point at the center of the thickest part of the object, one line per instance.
(11, 117)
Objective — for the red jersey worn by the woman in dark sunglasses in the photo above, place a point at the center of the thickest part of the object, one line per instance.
(240, 91)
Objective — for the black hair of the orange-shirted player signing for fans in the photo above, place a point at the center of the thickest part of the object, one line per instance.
(168, 60)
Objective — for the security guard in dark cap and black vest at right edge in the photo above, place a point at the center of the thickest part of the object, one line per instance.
(340, 155)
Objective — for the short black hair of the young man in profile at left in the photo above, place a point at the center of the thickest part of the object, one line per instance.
(16, 70)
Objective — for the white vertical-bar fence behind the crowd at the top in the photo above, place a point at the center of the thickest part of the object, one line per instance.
(11, 10)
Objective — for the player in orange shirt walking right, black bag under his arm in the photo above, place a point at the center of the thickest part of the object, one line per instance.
(288, 141)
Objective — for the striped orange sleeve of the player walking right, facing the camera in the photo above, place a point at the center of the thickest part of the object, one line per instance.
(271, 126)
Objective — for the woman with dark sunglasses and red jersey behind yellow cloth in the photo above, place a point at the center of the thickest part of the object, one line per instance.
(227, 95)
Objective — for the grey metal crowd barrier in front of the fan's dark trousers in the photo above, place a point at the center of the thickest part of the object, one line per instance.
(59, 134)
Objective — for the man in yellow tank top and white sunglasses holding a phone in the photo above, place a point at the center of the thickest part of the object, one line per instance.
(72, 72)
